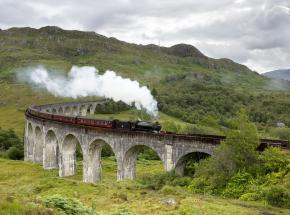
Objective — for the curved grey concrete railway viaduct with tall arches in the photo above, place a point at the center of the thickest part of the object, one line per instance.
(53, 144)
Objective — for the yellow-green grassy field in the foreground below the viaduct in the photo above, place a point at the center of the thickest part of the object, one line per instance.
(23, 185)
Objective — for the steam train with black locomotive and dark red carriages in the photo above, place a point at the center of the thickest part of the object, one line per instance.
(100, 123)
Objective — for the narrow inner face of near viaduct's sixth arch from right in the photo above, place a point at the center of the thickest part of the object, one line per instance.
(38, 145)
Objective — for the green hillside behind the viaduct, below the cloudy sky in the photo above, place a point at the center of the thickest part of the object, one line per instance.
(187, 84)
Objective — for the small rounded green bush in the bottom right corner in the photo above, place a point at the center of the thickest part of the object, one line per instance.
(278, 195)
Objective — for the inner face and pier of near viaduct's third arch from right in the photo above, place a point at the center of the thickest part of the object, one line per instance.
(94, 163)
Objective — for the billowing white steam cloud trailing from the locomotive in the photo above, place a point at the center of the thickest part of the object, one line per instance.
(86, 81)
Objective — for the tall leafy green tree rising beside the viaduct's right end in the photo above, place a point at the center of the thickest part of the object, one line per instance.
(236, 153)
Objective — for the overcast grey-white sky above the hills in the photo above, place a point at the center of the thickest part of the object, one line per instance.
(252, 32)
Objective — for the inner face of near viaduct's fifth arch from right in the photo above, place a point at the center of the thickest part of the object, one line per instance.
(51, 151)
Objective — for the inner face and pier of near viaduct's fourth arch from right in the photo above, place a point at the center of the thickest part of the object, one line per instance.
(68, 158)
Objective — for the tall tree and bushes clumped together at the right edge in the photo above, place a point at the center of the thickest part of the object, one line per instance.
(237, 170)
